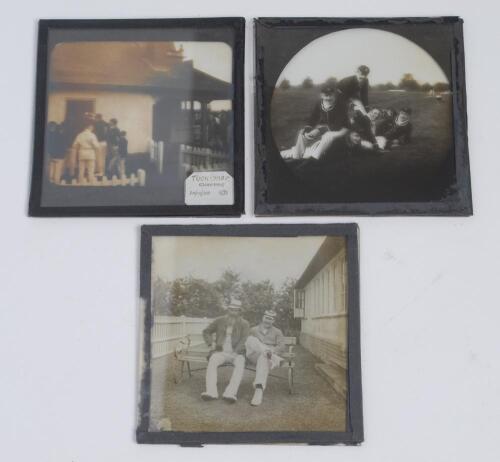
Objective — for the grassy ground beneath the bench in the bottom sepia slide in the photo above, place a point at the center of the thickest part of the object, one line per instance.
(314, 405)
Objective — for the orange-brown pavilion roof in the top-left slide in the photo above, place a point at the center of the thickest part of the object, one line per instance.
(156, 68)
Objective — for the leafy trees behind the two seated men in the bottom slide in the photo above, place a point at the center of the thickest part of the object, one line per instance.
(195, 297)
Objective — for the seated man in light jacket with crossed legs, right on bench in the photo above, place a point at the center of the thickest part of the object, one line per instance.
(263, 345)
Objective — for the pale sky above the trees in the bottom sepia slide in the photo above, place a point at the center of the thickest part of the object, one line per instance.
(255, 258)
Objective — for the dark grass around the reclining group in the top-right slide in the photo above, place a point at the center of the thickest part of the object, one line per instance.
(420, 171)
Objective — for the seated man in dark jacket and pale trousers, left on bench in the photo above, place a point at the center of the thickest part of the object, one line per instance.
(231, 332)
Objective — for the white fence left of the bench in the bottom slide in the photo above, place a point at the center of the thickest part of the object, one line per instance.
(168, 330)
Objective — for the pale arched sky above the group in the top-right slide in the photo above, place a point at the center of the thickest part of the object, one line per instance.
(338, 54)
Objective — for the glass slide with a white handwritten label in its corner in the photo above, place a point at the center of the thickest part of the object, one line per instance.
(134, 115)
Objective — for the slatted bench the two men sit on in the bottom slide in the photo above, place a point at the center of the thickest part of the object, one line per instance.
(191, 350)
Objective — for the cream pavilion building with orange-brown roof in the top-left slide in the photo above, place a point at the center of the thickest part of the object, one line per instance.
(156, 95)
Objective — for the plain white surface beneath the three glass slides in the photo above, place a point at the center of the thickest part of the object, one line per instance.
(430, 308)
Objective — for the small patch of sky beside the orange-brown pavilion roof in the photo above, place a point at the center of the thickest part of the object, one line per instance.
(214, 58)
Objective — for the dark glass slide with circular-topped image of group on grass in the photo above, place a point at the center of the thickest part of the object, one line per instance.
(368, 118)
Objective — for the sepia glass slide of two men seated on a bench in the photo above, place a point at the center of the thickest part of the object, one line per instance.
(249, 334)
